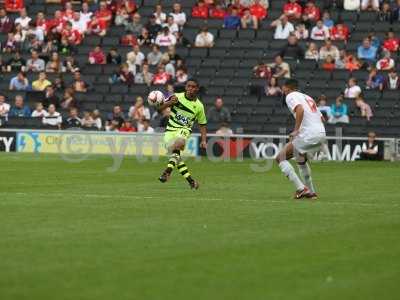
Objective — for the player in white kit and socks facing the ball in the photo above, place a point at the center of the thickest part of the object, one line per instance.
(307, 137)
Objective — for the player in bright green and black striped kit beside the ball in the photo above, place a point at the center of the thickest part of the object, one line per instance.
(186, 108)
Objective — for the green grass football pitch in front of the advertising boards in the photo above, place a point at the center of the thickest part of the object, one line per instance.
(77, 231)
